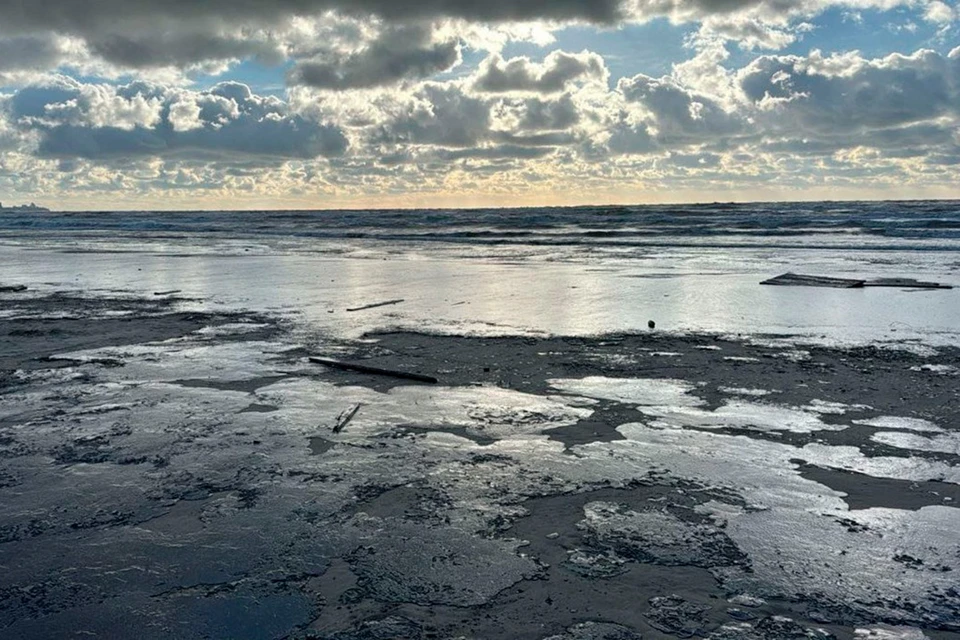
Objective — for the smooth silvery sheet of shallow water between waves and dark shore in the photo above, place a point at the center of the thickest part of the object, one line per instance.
(484, 297)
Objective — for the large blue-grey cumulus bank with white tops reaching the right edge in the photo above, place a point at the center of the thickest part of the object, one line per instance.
(902, 106)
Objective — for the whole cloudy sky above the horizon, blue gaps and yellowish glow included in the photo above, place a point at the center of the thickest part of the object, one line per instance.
(278, 104)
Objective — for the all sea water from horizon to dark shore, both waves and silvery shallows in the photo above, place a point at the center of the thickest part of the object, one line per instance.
(575, 271)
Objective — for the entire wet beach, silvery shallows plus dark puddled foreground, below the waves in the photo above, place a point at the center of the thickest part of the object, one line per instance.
(763, 462)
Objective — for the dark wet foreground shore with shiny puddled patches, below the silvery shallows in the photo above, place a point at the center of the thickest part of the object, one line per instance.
(176, 474)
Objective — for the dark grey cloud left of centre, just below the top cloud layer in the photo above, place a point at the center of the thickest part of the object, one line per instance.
(399, 53)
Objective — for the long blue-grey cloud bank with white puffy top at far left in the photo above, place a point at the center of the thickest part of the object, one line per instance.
(106, 123)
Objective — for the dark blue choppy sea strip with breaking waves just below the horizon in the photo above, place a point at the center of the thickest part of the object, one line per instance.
(619, 231)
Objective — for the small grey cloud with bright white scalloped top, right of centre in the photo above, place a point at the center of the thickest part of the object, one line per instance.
(557, 71)
